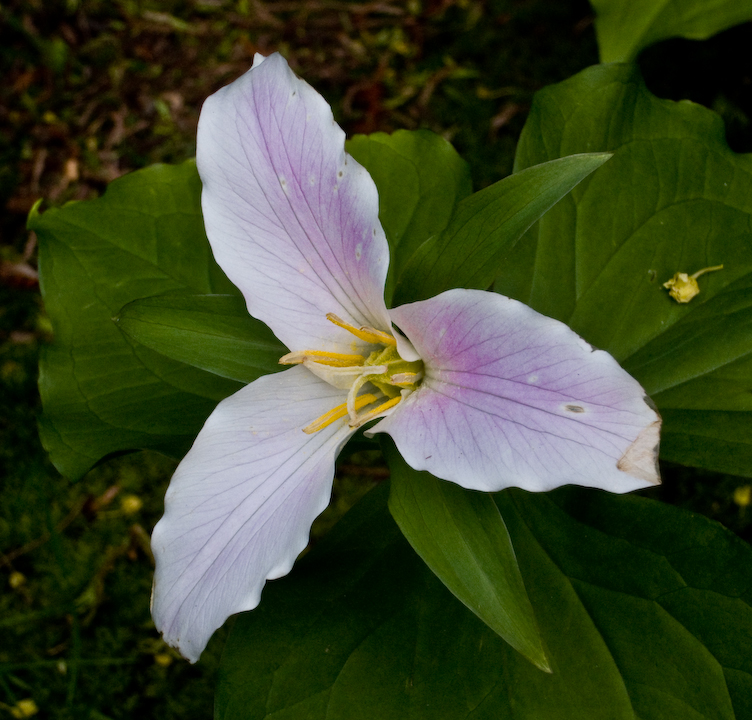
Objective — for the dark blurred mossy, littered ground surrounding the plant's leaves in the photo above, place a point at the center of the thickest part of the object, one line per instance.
(93, 89)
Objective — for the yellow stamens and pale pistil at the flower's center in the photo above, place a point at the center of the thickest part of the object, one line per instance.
(375, 384)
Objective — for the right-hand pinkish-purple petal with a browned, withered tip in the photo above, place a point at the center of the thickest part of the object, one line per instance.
(513, 398)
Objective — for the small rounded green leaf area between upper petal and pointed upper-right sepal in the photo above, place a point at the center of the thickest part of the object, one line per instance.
(420, 178)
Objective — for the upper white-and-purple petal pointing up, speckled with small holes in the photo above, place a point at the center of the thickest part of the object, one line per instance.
(292, 219)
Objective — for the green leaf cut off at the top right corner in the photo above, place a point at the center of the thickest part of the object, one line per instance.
(624, 27)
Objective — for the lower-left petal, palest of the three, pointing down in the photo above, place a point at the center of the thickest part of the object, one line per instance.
(240, 505)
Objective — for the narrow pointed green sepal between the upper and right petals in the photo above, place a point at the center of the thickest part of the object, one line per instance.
(473, 249)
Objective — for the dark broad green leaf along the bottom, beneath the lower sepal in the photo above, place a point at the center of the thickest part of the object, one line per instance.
(645, 611)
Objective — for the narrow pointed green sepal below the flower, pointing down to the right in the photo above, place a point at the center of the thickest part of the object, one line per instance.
(461, 536)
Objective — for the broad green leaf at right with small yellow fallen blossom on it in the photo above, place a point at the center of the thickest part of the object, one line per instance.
(674, 198)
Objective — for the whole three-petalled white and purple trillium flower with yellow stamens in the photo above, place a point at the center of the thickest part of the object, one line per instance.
(476, 388)
